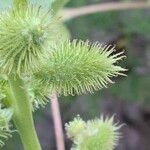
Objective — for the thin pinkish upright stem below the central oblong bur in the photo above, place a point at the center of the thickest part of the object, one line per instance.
(57, 122)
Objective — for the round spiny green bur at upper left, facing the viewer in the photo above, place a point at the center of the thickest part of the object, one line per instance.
(26, 36)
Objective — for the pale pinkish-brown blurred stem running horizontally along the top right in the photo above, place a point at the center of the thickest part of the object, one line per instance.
(70, 13)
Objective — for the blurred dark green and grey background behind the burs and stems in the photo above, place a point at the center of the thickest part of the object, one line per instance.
(128, 98)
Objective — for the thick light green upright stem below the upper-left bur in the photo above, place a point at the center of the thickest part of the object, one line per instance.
(22, 117)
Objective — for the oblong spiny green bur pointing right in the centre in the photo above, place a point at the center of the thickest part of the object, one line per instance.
(78, 67)
